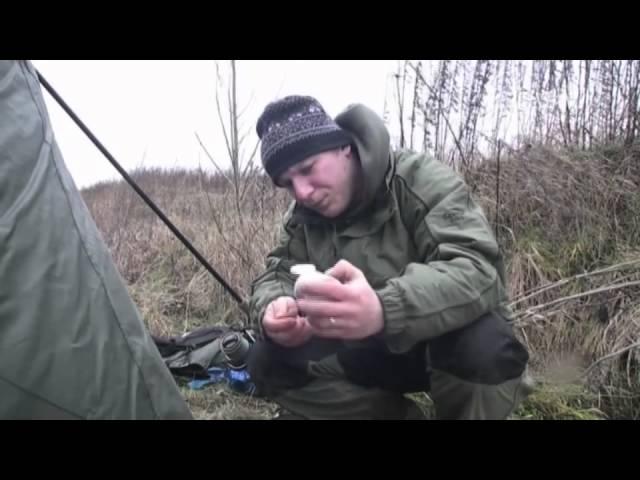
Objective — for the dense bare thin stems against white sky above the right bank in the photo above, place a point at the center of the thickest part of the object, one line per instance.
(573, 102)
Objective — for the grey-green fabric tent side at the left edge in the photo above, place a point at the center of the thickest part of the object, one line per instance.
(72, 343)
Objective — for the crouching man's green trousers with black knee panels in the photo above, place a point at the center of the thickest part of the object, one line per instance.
(474, 372)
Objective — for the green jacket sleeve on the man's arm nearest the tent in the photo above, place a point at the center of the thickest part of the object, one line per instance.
(276, 280)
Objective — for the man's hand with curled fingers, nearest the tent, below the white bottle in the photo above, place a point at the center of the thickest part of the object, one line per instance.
(283, 324)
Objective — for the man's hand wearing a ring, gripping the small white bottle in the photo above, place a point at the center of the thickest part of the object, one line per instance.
(348, 310)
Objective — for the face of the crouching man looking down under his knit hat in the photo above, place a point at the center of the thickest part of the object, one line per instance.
(323, 182)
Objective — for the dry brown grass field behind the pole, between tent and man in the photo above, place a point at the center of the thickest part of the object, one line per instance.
(173, 291)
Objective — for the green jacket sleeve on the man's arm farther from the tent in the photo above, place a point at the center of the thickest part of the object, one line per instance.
(459, 274)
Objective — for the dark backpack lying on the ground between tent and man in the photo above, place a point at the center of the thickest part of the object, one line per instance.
(194, 353)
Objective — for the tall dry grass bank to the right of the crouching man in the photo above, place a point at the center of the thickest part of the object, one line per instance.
(569, 224)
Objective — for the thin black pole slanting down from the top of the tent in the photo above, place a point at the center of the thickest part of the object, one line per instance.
(140, 192)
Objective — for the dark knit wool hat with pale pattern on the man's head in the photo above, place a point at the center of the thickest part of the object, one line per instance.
(292, 129)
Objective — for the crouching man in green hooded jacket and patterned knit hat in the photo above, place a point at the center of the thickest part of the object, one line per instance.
(418, 300)
